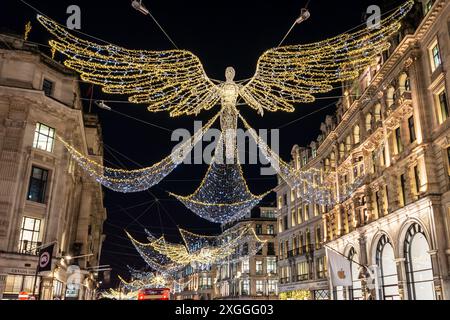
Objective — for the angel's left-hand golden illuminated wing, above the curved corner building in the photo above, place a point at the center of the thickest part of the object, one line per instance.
(172, 81)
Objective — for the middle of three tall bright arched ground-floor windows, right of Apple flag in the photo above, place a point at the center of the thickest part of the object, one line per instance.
(388, 278)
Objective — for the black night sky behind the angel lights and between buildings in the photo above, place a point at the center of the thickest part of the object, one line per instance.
(221, 33)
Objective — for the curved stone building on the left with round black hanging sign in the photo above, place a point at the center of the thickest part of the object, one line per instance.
(44, 197)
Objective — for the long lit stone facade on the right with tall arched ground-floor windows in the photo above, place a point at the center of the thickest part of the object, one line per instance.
(386, 154)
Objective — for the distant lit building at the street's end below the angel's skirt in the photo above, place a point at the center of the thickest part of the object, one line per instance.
(251, 276)
